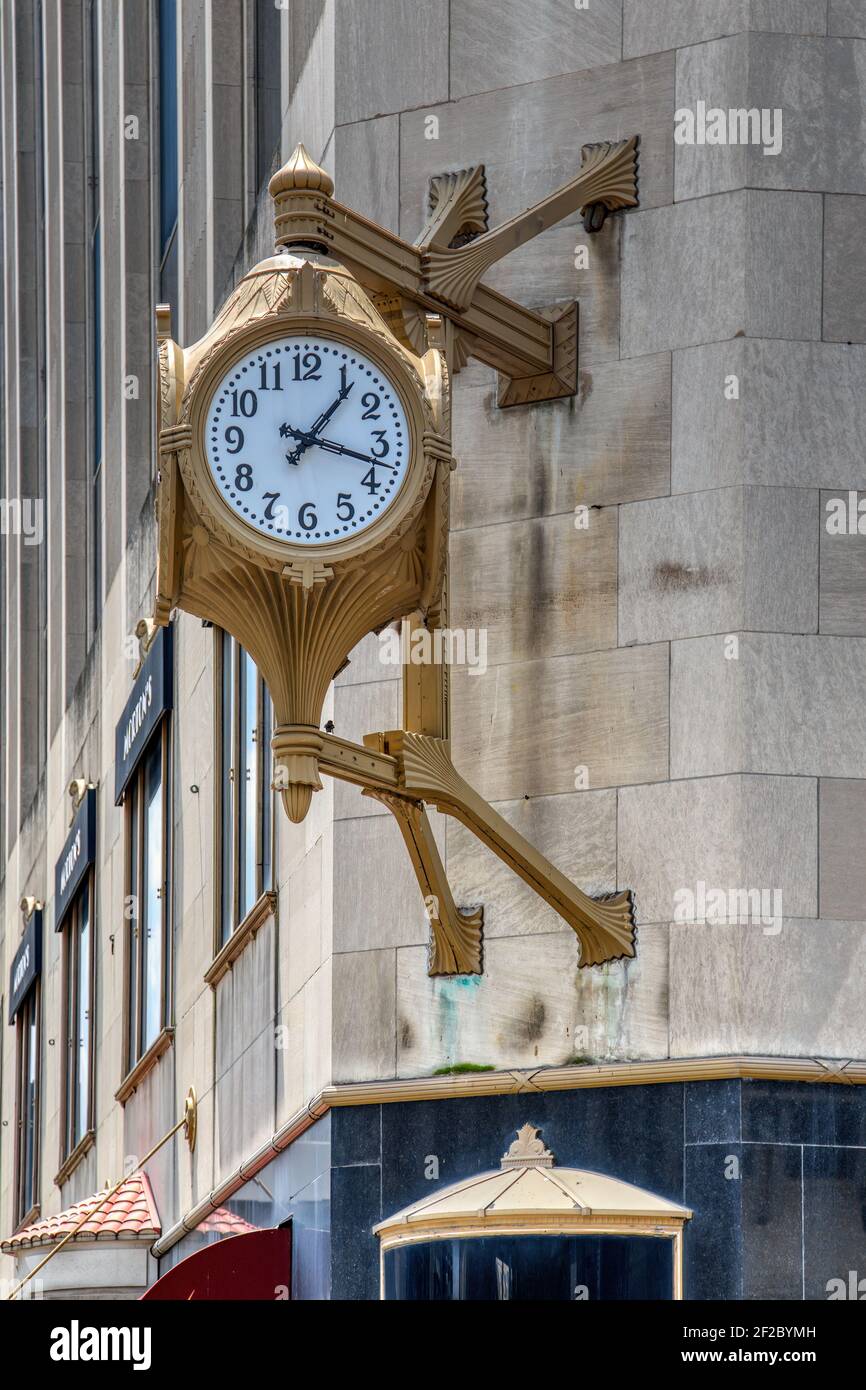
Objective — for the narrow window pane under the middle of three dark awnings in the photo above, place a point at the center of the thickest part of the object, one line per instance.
(79, 995)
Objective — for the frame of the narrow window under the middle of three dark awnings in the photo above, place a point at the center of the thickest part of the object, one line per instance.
(73, 1147)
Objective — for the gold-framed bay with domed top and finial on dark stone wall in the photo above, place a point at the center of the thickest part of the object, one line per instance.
(529, 1197)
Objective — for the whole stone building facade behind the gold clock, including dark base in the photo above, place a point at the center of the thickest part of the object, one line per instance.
(673, 612)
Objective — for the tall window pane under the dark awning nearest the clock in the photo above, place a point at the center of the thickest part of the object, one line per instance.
(148, 907)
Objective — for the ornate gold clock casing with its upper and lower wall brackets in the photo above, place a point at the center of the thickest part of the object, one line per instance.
(300, 603)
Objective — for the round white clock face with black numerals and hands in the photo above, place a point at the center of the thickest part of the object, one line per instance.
(308, 440)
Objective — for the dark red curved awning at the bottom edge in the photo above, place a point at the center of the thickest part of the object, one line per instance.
(256, 1266)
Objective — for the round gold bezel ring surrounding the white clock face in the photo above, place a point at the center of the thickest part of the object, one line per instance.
(218, 515)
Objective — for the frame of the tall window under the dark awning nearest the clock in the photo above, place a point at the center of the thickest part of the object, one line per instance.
(137, 1057)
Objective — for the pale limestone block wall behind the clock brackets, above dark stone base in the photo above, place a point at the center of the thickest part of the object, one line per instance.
(696, 654)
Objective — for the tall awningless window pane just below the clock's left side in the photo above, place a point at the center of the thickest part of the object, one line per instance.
(247, 819)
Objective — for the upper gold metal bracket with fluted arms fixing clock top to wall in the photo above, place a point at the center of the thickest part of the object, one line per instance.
(534, 352)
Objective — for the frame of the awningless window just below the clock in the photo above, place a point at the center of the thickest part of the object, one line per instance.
(227, 829)
